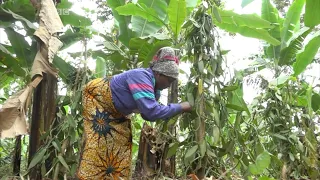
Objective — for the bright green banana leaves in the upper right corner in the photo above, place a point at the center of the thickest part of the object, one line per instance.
(285, 39)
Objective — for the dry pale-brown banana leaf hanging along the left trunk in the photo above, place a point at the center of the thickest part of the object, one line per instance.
(13, 112)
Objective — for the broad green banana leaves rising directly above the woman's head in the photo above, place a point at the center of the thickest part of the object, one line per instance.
(160, 22)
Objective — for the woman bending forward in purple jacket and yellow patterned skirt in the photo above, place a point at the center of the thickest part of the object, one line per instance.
(108, 102)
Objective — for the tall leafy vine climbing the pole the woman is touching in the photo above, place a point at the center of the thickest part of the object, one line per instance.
(203, 50)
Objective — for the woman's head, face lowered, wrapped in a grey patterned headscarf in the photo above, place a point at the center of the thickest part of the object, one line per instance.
(165, 65)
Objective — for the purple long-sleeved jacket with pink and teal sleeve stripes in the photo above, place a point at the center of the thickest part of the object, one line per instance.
(135, 90)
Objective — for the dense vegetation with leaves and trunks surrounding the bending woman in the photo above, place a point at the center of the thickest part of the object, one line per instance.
(276, 136)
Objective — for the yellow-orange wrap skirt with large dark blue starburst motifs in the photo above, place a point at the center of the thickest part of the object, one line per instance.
(106, 153)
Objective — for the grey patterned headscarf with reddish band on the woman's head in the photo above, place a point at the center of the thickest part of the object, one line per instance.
(166, 62)
